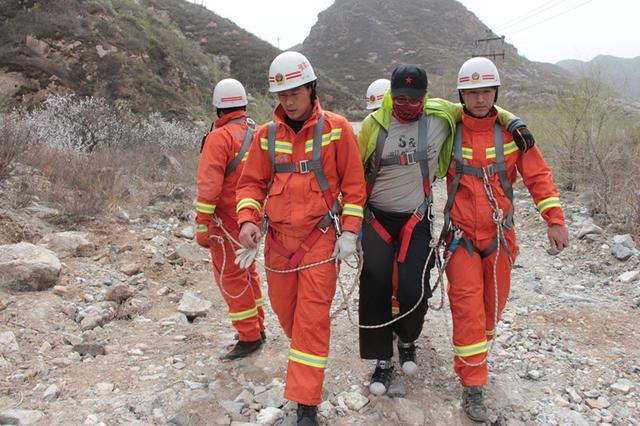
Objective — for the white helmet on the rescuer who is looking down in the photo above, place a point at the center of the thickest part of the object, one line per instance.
(290, 70)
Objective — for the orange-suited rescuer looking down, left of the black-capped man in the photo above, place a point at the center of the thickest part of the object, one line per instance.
(303, 161)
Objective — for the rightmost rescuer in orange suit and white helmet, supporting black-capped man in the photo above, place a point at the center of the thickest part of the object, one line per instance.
(479, 219)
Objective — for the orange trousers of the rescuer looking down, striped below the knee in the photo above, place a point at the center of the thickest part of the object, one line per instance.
(302, 301)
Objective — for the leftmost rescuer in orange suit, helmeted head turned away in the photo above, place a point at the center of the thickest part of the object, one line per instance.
(222, 159)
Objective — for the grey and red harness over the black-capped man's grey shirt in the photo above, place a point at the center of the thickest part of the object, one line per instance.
(404, 159)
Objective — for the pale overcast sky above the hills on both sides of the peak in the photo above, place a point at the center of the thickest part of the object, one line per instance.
(541, 30)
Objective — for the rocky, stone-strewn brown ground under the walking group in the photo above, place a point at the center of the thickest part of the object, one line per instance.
(117, 320)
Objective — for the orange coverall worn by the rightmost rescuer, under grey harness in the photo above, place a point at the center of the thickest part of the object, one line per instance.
(471, 284)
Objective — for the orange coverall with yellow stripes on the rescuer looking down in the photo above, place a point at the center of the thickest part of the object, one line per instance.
(302, 299)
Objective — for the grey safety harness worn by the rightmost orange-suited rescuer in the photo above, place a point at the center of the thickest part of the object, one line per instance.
(498, 168)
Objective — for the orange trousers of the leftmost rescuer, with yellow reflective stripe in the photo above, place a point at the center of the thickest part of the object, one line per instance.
(243, 312)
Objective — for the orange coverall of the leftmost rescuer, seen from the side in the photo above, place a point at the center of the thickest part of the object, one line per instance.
(216, 196)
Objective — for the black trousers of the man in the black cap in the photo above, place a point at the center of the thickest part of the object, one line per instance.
(376, 284)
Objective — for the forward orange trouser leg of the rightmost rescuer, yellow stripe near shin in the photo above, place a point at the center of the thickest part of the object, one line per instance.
(466, 297)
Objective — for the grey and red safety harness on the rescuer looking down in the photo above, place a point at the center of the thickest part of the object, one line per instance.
(303, 167)
